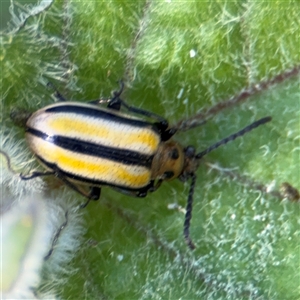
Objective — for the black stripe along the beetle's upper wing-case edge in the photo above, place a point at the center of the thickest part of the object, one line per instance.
(99, 114)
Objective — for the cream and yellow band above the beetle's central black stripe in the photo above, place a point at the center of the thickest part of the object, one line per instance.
(105, 132)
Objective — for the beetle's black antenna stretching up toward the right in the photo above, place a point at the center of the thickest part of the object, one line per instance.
(233, 136)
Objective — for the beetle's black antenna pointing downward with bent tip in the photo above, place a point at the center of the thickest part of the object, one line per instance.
(188, 214)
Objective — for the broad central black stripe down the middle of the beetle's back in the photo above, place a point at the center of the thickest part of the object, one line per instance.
(126, 157)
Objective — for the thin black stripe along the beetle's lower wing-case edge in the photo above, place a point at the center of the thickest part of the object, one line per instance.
(88, 181)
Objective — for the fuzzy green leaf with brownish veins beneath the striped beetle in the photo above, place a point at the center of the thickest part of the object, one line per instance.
(183, 60)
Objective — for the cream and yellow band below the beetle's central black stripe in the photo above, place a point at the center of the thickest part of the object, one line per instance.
(91, 167)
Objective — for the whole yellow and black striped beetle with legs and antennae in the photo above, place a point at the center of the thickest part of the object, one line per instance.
(84, 144)
